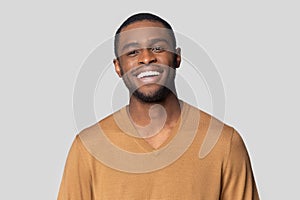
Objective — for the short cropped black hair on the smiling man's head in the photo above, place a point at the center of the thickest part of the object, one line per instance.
(140, 17)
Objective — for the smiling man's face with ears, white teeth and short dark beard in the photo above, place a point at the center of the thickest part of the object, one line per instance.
(147, 60)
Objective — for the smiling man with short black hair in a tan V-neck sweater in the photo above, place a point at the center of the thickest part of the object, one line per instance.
(157, 147)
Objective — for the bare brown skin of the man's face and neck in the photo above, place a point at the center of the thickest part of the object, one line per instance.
(147, 50)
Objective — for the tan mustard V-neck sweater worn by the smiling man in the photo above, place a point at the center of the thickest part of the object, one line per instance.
(203, 159)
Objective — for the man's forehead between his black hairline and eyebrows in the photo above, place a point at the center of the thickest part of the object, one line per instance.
(143, 32)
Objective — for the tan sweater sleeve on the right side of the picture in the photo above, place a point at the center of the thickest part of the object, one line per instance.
(238, 180)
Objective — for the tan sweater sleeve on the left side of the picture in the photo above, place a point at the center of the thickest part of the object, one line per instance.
(76, 180)
